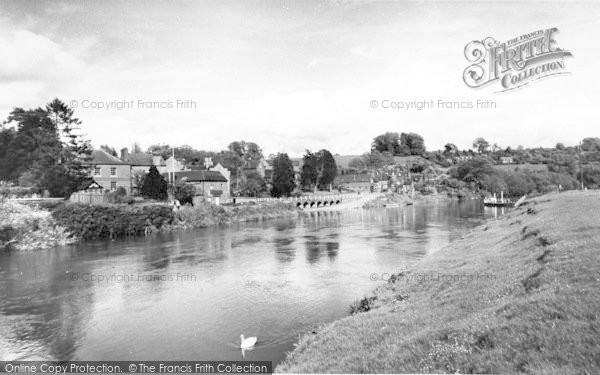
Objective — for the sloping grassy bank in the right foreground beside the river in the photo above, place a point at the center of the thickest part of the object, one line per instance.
(517, 295)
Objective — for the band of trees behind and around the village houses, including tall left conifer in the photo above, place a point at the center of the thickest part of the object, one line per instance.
(44, 148)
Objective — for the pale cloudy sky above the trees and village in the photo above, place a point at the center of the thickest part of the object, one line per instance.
(292, 76)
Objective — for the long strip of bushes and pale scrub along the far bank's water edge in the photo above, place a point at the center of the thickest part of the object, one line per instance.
(29, 228)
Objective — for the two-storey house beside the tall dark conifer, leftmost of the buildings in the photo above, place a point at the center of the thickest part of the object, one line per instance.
(109, 172)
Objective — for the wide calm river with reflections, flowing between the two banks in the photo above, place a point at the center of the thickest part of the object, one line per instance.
(189, 295)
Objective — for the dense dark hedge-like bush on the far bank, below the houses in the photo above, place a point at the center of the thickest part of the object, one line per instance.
(90, 222)
